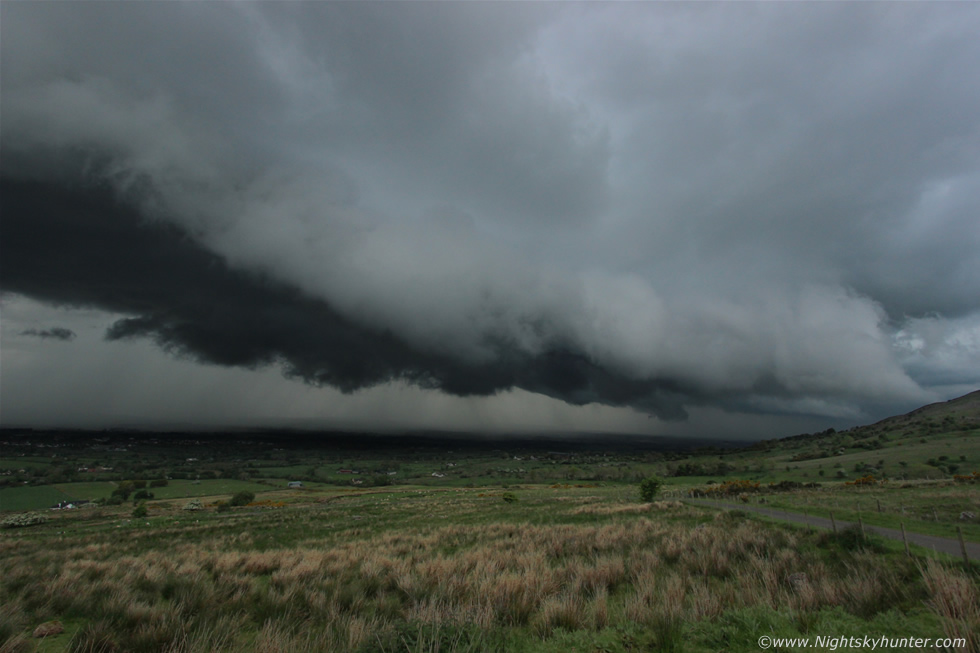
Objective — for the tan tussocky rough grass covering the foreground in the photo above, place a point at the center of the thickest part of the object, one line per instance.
(647, 571)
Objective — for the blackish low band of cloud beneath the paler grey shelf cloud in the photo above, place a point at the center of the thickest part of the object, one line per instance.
(192, 303)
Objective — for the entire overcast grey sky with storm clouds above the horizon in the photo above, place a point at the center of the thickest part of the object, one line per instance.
(684, 218)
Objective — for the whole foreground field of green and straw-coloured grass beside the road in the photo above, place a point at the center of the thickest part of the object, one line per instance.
(421, 569)
